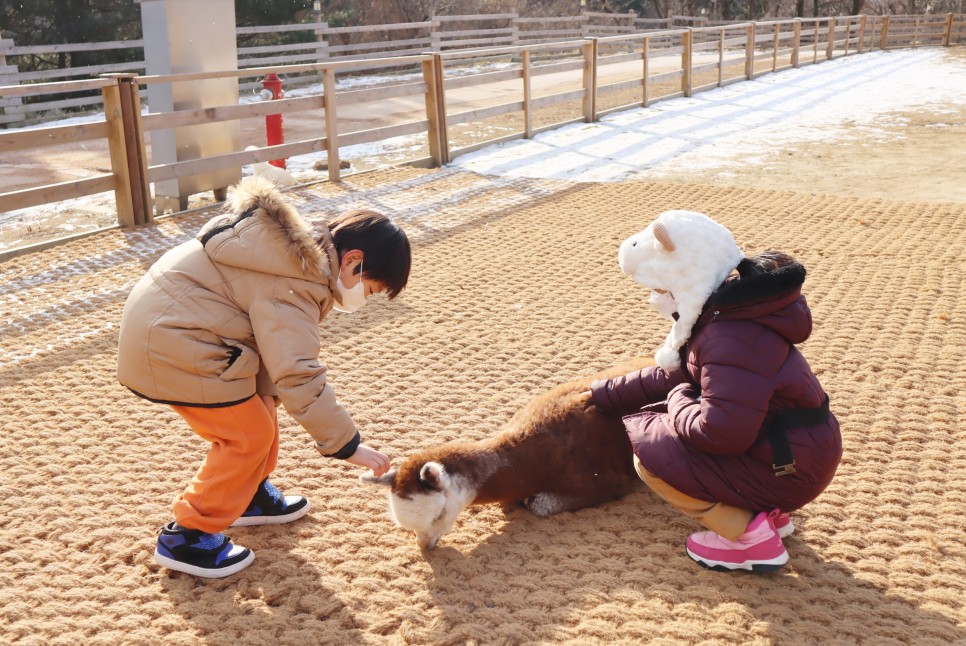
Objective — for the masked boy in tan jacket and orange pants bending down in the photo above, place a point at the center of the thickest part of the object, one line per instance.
(225, 327)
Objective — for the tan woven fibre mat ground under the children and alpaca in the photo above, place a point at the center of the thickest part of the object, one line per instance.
(514, 288)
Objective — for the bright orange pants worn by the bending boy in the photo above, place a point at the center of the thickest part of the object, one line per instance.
(244, 451)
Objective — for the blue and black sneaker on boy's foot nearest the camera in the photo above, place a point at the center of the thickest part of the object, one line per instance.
(199, 553)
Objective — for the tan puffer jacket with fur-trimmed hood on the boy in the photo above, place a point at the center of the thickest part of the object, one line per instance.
(236, 312)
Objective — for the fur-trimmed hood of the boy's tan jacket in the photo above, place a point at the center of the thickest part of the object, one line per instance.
(262, 231)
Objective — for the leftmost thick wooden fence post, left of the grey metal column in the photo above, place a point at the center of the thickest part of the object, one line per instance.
(122, 110)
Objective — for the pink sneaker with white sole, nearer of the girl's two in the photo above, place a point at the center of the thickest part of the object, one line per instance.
(759, 549)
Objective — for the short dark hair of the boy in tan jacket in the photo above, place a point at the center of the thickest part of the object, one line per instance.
(387, 254)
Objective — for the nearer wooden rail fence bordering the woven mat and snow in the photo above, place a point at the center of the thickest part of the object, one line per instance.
(667, 63)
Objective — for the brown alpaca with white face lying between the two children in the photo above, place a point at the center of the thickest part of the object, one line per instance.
(558, 453)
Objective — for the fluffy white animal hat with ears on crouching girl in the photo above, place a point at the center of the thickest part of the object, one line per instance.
(688, 254)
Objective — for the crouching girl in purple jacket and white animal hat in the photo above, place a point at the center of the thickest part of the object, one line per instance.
(732, 427)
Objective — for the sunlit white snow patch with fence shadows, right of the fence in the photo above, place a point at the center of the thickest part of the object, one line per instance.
(738, 125)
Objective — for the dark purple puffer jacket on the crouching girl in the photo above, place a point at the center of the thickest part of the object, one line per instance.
(703, 428)
